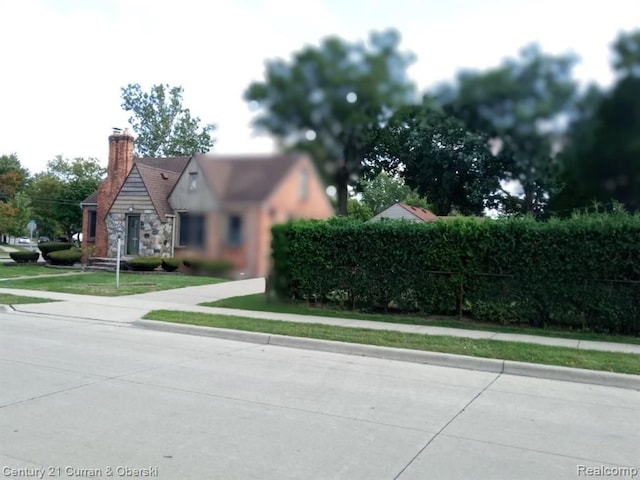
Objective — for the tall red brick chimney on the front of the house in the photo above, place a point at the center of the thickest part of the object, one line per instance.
(118, 167)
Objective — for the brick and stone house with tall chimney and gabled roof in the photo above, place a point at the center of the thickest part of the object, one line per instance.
(218, 207)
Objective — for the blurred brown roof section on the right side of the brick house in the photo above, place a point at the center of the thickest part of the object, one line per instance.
(245, 178)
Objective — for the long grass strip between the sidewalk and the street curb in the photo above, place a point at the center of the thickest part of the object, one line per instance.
(516, 351)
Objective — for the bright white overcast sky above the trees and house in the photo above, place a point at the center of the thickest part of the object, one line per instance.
(64, 62)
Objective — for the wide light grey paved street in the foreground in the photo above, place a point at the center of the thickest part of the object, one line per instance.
(90, 398)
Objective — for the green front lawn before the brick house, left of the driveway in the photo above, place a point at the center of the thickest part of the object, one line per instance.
(103, 283)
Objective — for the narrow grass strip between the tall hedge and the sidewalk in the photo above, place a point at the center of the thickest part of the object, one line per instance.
(258, 302)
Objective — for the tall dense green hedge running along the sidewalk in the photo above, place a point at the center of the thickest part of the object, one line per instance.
(580, 273)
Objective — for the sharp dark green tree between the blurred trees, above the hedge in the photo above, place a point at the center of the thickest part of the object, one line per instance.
(442, 160)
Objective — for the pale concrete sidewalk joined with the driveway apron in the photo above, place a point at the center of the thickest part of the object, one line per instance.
(133, 307)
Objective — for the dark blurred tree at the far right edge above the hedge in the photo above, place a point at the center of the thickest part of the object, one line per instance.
(603, 163)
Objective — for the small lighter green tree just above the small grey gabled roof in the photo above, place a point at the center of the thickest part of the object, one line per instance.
(385, 189)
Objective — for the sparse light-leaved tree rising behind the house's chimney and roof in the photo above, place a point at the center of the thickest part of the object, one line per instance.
(163, 127)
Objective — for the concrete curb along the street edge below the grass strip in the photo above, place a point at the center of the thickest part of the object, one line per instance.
(508, 367)
